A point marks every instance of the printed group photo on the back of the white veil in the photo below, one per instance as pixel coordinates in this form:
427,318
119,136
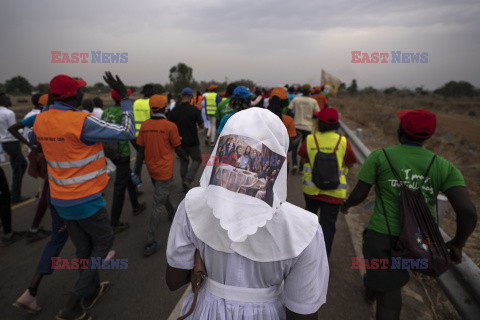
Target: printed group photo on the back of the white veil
246,166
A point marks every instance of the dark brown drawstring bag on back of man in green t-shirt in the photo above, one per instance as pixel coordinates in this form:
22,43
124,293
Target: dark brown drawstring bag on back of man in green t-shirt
420,238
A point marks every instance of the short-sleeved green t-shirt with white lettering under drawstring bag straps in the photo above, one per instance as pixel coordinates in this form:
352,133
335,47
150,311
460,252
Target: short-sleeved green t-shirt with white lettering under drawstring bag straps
411,163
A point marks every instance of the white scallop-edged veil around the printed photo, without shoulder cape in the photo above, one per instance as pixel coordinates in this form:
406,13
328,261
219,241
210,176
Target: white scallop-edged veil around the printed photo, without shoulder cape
240,214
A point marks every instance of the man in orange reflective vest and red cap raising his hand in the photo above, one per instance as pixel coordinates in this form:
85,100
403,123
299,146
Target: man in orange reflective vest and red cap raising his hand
72,144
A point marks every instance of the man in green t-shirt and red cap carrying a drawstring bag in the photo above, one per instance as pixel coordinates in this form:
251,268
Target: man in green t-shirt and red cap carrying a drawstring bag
410,160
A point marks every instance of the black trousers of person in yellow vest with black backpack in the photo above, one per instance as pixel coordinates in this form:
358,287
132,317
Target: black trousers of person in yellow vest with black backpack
327,217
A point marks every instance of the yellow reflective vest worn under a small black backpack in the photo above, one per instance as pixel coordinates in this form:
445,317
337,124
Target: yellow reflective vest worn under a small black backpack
326,142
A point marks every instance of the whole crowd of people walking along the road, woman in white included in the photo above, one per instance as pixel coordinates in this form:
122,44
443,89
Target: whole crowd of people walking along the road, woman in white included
265,257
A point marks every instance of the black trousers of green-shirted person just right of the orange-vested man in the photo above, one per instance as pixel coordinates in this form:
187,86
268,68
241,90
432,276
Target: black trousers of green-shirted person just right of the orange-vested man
123,181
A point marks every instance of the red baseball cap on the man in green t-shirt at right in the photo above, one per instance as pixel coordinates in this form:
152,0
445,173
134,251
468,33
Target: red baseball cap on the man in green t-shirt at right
418,123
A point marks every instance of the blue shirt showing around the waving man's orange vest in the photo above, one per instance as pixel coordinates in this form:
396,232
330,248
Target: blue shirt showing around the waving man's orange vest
93,130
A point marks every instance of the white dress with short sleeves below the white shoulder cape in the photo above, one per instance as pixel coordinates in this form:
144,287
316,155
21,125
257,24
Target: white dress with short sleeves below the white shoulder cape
304,278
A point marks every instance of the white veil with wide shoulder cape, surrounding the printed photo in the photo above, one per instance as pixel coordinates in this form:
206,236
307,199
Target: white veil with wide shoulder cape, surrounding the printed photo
232,222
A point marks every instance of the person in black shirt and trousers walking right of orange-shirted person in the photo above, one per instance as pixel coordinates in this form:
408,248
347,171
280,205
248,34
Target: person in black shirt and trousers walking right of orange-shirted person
187,117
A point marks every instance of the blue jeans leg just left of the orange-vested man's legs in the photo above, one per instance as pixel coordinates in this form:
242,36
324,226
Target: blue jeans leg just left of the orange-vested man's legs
56,243
